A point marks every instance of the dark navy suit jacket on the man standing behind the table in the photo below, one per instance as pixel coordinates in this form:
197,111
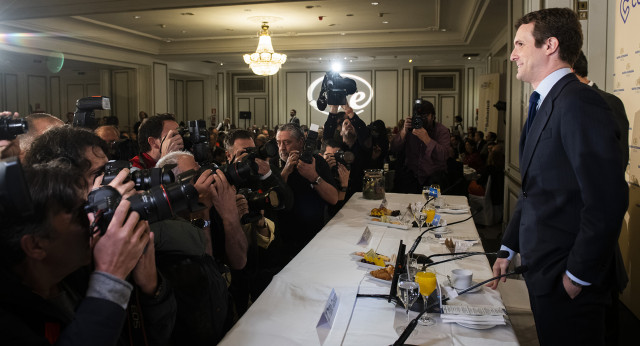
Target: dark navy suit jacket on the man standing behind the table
574,196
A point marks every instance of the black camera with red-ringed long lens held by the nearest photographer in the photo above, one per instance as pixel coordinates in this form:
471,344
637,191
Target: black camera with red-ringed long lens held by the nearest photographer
156,204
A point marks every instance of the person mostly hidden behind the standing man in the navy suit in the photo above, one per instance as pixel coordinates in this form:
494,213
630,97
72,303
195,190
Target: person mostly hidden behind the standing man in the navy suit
581,69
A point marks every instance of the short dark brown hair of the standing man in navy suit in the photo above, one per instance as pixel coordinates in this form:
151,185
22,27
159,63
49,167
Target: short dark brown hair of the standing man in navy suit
561,23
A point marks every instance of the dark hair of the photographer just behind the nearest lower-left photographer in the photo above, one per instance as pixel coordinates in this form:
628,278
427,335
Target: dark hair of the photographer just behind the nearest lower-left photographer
65,142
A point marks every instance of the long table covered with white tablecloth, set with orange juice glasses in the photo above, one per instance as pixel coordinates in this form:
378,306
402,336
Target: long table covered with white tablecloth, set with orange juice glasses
288,311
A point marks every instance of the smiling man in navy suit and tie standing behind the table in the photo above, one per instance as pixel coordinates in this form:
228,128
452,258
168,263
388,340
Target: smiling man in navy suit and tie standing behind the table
569,213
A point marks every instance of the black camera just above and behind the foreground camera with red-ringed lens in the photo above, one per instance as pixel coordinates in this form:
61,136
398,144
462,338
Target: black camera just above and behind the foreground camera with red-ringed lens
143,179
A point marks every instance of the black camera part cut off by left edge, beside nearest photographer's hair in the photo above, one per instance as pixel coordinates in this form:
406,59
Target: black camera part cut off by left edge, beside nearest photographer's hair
14,192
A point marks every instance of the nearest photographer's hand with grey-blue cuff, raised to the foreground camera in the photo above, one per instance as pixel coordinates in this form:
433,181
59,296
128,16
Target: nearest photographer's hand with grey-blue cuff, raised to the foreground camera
118,251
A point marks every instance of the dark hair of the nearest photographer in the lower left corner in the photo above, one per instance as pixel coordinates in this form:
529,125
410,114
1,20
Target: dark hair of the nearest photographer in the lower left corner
54,188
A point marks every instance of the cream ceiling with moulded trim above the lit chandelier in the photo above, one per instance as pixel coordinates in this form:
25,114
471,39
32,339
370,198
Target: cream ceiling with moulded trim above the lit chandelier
307,31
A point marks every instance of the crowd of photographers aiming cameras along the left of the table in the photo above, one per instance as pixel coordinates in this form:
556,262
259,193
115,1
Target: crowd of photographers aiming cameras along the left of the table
166,235
